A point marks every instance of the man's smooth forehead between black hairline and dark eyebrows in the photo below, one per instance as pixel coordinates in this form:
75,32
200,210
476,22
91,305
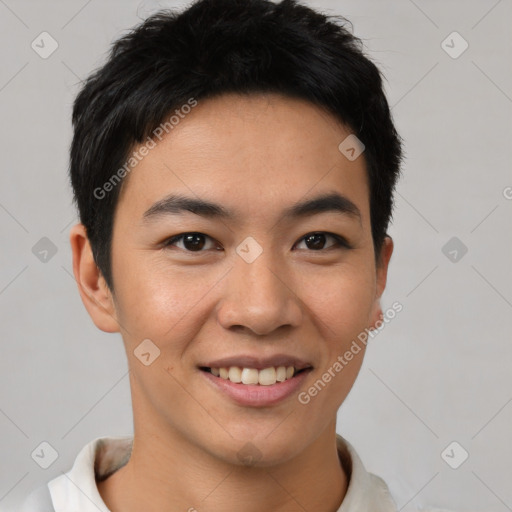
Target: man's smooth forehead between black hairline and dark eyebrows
255,153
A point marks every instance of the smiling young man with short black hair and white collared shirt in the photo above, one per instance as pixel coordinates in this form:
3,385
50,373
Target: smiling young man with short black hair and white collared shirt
234,167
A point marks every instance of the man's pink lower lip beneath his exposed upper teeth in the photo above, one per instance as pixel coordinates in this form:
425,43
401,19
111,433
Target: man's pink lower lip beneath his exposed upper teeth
250,395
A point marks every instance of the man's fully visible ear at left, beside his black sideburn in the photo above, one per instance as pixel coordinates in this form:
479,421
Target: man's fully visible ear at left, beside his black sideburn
95,294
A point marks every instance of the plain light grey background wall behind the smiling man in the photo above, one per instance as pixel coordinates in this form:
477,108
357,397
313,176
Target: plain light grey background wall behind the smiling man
438,373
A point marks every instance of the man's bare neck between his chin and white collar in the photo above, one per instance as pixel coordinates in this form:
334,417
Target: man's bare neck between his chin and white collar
167,473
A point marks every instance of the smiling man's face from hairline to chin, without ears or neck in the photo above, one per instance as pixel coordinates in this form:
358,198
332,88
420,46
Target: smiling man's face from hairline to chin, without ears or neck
251,283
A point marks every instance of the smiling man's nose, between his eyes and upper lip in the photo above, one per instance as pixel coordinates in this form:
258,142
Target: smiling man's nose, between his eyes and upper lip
259,297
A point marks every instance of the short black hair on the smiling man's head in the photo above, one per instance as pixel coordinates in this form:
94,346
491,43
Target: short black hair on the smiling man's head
216,47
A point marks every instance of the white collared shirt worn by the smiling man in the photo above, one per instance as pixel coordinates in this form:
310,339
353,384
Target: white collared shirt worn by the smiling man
76,490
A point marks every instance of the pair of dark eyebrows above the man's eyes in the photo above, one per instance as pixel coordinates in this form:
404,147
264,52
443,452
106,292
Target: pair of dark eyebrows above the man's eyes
176,204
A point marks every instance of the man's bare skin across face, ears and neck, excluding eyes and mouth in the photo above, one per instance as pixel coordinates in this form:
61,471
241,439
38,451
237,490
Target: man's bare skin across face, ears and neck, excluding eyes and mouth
255,155
